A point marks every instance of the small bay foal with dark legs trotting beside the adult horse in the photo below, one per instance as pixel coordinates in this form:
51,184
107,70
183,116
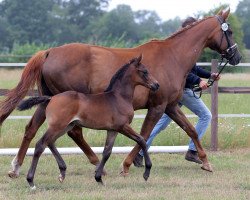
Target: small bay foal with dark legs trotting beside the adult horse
69,109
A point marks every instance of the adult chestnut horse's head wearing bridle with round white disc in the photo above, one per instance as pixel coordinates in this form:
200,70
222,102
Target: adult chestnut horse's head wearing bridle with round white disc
221,39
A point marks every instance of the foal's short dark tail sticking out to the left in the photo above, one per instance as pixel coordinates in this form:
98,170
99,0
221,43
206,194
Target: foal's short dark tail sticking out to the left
29,103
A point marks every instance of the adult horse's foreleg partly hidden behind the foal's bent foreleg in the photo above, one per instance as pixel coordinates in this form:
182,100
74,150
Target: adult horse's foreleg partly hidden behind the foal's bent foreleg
152,117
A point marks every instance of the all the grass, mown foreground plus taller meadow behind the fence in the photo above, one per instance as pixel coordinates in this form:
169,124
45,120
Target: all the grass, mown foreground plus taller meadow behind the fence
171,177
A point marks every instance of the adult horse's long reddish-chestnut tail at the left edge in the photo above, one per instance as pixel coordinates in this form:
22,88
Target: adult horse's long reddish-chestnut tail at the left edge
31,75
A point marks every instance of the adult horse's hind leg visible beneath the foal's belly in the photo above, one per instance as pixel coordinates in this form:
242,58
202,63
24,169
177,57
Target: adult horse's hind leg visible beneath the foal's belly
76,135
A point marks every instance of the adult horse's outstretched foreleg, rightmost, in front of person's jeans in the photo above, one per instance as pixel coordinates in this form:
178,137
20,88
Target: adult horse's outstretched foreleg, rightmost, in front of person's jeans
178,116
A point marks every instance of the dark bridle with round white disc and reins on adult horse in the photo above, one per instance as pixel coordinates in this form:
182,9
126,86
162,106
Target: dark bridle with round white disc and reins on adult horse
230,52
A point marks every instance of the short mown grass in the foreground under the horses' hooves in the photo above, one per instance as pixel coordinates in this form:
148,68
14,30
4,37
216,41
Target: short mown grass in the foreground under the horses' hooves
171,178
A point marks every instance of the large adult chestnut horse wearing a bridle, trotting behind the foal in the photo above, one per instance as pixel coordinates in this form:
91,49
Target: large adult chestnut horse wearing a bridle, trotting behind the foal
86,68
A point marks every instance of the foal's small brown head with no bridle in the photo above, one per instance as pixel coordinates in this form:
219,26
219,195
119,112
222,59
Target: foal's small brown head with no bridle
142,76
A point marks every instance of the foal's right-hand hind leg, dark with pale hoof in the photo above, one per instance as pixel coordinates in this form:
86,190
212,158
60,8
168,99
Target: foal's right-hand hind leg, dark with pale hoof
61,164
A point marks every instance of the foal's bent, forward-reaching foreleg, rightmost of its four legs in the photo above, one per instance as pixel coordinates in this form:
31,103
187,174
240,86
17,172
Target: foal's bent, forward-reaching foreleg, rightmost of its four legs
129,132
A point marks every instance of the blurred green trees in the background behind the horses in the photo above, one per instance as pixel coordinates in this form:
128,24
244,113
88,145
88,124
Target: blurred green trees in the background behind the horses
41,24
